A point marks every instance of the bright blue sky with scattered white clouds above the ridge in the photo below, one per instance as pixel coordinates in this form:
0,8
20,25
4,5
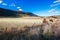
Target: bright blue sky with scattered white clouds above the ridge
38,7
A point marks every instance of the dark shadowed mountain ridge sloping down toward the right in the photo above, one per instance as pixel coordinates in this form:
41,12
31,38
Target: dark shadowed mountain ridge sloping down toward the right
12,13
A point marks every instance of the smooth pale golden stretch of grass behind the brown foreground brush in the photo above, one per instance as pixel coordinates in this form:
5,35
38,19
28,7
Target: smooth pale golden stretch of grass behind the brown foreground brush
20,22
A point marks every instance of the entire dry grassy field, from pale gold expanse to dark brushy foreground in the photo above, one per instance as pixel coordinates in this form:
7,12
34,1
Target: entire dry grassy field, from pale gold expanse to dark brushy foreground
29,28
